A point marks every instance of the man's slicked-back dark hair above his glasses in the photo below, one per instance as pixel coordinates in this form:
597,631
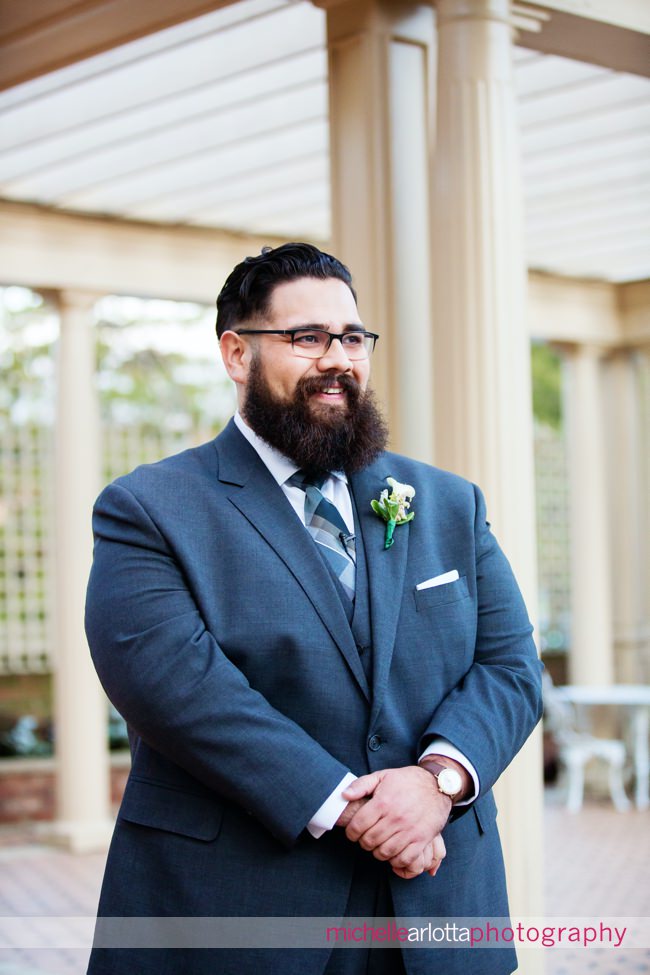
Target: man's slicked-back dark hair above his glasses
249,286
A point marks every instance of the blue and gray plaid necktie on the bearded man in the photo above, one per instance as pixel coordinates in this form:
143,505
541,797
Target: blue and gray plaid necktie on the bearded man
326,526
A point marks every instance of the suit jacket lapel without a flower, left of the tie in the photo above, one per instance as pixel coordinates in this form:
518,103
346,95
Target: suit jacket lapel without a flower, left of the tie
262,502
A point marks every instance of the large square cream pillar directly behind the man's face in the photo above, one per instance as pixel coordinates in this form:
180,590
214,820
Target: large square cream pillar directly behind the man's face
380,78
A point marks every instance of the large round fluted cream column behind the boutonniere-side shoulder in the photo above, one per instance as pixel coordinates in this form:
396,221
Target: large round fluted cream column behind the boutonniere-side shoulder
481,347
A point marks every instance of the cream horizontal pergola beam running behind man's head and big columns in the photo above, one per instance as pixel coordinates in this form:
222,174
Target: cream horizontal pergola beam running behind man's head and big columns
49,249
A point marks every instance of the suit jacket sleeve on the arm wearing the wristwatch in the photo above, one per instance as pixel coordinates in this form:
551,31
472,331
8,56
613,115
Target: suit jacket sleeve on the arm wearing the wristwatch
492,711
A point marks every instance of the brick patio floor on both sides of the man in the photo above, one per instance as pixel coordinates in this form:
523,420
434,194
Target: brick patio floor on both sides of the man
596,866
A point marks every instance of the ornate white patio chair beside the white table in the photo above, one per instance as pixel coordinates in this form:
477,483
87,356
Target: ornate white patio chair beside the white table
577,747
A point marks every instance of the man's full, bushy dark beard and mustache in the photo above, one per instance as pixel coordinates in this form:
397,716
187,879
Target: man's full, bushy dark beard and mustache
337,440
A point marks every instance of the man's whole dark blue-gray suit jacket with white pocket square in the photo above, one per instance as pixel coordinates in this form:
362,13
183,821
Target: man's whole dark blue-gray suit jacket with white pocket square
218,633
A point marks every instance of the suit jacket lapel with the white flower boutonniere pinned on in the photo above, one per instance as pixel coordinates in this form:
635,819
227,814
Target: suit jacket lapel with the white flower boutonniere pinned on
386,569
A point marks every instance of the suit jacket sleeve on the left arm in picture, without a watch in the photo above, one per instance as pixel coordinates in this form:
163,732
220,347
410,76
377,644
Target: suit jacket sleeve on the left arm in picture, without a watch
166,674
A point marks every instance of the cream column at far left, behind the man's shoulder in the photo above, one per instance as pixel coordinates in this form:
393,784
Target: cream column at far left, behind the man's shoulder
83,804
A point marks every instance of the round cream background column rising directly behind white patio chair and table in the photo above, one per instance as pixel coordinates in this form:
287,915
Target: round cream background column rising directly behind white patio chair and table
591,655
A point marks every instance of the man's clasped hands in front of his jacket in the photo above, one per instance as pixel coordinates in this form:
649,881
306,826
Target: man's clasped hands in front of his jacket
398,815
